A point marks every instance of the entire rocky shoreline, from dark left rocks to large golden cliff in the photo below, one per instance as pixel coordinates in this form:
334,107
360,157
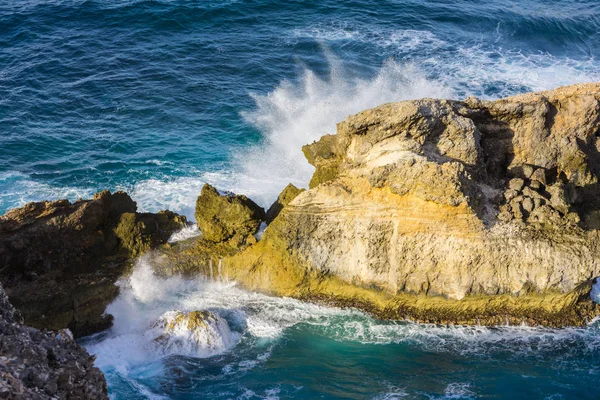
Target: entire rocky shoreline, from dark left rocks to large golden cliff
449,212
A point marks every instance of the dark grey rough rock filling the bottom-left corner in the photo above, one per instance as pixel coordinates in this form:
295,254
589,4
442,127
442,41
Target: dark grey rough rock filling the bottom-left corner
43,365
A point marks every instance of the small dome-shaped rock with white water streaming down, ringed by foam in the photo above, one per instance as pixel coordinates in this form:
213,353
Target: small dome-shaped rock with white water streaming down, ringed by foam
199,333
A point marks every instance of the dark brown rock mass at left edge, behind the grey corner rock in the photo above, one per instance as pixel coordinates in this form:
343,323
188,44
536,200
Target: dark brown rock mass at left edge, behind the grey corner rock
60,260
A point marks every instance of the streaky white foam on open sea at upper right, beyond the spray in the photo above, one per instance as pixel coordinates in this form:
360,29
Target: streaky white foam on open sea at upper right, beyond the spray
468,69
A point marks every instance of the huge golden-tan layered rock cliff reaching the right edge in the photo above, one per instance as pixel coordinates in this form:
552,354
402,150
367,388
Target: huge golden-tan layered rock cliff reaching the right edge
446,211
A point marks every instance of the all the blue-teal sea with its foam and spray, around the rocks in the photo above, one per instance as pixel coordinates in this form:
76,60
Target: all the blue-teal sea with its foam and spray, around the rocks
159,97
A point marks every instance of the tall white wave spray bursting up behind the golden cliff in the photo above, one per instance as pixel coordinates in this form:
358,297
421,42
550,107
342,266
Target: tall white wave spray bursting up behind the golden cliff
298,113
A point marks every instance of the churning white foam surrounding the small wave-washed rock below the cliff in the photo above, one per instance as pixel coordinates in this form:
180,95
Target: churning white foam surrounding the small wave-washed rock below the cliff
144,298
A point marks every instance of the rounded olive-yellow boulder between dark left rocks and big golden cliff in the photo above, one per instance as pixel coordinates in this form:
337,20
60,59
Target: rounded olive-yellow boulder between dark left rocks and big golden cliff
224,217
